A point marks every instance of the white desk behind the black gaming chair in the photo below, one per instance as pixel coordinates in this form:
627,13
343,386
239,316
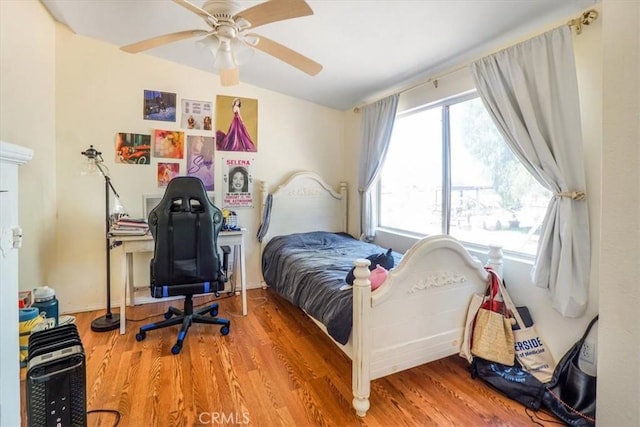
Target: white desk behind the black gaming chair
133,244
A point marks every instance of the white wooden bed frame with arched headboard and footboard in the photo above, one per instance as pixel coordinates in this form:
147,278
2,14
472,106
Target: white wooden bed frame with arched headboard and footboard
416,316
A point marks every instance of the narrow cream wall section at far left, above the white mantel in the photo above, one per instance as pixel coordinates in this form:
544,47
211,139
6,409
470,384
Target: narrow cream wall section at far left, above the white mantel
27,118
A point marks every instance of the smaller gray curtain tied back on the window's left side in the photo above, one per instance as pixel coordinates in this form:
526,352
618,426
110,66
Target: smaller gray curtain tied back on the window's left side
376,128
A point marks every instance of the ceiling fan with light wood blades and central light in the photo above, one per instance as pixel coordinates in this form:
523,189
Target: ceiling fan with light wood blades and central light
229,39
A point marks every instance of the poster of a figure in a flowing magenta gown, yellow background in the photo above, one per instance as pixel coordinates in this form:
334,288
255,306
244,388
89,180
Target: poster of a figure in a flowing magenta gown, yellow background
236,124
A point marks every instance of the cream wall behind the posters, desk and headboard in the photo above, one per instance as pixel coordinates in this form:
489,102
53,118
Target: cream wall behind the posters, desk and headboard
99,93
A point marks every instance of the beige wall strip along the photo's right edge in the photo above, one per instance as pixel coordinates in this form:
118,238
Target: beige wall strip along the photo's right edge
619,325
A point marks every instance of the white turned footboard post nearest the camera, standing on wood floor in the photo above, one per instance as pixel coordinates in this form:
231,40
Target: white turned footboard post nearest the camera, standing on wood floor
361,337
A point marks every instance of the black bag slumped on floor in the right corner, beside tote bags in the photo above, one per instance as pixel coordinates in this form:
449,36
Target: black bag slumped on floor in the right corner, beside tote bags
571,393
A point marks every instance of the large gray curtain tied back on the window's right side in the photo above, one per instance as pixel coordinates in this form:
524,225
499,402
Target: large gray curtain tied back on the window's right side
531,91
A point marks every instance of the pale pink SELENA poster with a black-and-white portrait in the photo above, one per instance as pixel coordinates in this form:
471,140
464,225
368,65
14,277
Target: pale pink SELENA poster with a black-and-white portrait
238,185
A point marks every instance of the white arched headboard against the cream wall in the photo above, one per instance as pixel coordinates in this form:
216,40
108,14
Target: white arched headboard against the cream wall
304,202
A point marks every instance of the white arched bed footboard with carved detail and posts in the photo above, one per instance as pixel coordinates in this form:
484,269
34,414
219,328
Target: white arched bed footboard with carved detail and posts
416,316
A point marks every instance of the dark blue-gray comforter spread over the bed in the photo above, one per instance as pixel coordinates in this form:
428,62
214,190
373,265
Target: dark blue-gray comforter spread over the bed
309,270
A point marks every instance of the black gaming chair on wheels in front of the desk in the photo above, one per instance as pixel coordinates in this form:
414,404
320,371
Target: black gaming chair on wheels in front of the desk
185,227
